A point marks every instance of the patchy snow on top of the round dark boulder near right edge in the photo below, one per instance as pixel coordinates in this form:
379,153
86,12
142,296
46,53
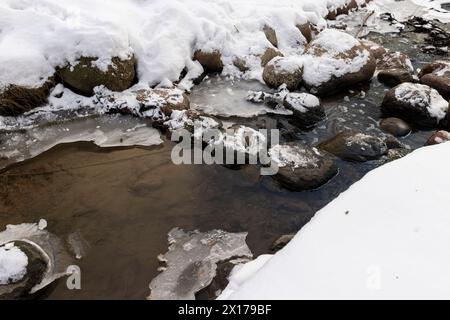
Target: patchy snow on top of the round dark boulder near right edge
423,96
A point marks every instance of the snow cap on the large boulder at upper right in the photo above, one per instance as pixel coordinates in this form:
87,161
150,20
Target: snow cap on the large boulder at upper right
318,69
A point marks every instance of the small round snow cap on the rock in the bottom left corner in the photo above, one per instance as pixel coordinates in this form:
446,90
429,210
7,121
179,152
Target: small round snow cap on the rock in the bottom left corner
13,264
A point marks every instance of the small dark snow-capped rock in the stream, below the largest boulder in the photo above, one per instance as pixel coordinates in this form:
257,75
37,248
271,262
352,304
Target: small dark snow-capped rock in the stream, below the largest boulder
307,109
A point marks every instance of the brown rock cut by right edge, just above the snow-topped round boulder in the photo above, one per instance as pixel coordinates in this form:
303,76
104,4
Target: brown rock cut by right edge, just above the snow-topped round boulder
437,76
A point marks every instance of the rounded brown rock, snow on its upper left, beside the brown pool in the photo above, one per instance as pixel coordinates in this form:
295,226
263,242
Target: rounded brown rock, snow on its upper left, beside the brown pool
301,167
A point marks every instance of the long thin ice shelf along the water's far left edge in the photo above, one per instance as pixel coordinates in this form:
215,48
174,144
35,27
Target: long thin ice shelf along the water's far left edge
104,131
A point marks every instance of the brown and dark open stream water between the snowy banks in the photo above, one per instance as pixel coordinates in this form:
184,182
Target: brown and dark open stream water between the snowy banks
123,201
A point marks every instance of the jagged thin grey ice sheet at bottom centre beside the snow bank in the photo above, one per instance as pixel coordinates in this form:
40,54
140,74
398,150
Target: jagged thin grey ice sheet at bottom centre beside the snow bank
192,262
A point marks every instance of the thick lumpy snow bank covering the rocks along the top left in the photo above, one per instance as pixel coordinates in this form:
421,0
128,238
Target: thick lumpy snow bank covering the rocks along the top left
38,35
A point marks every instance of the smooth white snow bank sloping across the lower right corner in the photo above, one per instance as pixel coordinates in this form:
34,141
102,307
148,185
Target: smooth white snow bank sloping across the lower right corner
385,238
